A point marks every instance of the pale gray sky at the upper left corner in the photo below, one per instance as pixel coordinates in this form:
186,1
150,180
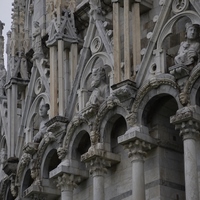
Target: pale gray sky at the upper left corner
5,17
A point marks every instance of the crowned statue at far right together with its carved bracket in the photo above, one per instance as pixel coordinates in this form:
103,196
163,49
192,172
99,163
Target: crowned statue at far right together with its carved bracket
188,55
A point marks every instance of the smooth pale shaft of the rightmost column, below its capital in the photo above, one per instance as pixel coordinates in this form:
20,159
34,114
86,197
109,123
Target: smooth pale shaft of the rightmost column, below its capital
191,173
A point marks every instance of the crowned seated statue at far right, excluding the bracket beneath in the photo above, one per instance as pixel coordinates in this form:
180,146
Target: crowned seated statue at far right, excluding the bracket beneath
189,51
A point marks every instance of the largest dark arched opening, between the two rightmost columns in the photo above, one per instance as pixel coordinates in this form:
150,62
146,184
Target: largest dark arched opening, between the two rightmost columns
166,162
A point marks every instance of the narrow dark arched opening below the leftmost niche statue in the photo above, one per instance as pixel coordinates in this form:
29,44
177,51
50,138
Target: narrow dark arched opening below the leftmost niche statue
51,162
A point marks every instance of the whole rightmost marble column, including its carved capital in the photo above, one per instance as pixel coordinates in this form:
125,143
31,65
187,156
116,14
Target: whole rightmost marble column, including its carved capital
188,120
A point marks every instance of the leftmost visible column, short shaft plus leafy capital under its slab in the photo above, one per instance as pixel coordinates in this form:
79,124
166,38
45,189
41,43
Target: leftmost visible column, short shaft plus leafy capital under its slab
67,183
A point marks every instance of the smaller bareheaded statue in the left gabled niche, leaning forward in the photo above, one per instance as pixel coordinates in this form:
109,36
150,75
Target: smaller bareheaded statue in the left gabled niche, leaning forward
43,112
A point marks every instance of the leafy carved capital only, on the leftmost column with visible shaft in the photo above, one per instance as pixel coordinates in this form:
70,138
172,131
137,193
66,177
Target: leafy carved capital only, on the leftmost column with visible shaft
67,181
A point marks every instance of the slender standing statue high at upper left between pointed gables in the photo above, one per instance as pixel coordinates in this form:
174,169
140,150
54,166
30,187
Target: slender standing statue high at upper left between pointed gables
37,41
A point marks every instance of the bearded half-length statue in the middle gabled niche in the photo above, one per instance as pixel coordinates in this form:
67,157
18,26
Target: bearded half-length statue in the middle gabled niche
101,88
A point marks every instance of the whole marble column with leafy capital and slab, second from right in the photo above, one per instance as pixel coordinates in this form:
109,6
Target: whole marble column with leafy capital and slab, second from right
137,143
